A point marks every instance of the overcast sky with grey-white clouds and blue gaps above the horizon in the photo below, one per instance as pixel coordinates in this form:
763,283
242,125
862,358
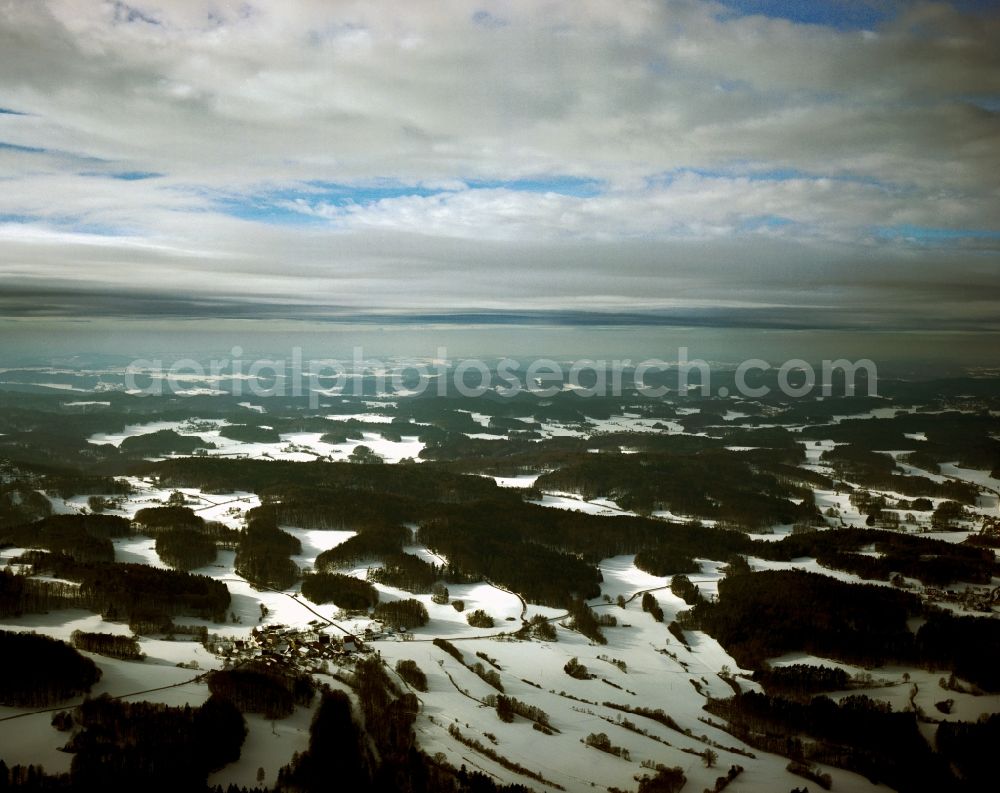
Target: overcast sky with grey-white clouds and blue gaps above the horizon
763,164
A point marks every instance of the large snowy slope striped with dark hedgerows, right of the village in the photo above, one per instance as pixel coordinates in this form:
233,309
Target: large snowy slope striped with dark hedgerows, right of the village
656,679
